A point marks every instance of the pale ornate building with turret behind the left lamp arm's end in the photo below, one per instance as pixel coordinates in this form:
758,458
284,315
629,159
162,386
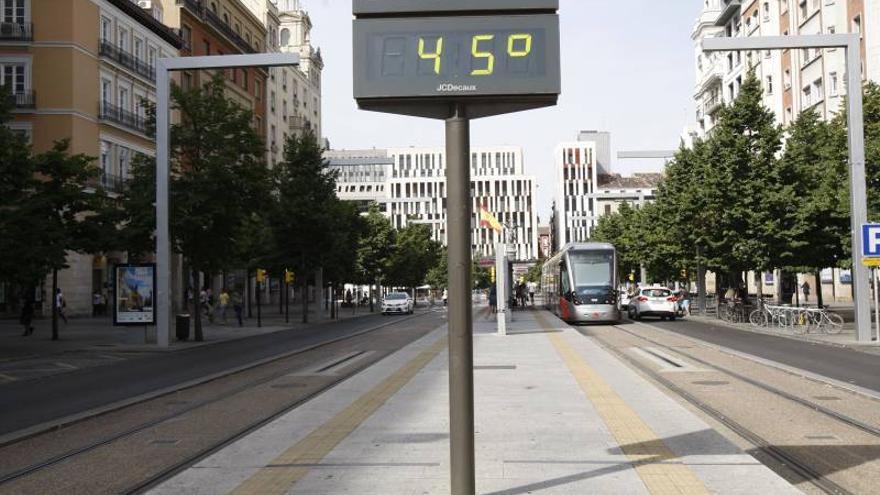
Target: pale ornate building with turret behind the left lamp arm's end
293,94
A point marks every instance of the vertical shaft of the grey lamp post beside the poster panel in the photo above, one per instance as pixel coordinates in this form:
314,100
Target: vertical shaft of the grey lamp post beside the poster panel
163,237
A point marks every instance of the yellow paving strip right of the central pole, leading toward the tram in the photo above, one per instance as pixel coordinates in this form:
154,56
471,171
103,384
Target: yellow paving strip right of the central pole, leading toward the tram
654,462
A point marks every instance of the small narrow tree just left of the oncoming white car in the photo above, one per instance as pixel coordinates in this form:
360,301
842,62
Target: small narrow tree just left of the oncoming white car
375,248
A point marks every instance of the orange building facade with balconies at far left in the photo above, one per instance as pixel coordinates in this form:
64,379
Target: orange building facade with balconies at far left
84,70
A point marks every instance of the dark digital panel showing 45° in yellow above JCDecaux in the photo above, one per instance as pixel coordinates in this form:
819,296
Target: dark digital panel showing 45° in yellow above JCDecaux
460,56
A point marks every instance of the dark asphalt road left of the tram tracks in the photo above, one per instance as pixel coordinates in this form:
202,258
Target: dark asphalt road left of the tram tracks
30,403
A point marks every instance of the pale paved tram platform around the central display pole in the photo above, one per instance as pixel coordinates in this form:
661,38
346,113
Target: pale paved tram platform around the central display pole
555,414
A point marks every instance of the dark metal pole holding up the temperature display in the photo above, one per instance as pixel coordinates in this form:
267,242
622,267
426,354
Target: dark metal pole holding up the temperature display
461,358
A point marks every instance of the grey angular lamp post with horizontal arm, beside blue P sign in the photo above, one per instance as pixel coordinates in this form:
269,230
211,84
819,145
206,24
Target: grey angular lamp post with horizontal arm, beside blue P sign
851,43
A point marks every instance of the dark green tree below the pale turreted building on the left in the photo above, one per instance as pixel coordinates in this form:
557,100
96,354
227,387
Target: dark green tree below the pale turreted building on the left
305,211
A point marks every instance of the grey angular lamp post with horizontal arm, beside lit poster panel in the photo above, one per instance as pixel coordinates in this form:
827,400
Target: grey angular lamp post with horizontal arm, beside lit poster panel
164,66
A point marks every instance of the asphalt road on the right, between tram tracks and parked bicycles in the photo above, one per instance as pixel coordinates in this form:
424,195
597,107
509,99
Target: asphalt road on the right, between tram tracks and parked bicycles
838,363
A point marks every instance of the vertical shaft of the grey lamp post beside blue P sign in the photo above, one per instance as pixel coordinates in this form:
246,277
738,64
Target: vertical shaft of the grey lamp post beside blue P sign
858,193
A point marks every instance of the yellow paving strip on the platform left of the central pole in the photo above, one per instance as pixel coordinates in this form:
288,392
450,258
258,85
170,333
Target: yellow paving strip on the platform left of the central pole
290,467
